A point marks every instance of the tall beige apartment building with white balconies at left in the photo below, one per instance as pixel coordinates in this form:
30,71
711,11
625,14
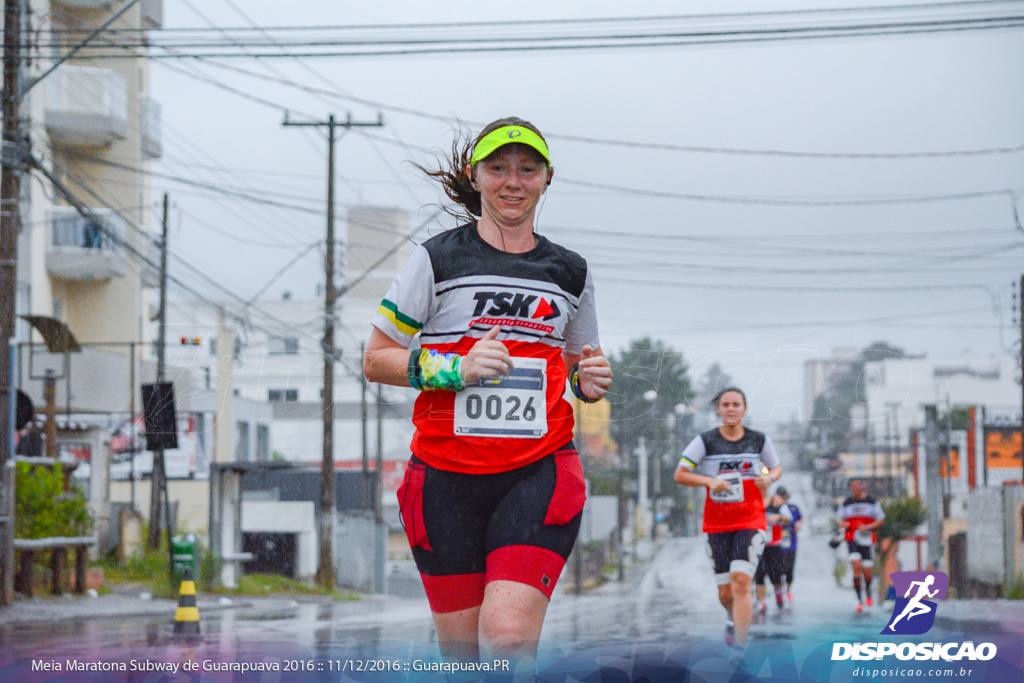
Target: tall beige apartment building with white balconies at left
93,124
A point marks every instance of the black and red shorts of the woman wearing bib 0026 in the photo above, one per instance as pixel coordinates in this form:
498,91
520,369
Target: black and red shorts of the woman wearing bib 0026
470,530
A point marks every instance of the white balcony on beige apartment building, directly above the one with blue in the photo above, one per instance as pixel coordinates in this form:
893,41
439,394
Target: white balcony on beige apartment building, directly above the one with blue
87,106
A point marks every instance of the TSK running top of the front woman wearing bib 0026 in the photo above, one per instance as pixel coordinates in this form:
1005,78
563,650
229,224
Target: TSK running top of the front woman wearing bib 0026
453,290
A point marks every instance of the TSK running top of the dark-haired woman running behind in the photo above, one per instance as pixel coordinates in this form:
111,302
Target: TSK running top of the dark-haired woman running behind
740,463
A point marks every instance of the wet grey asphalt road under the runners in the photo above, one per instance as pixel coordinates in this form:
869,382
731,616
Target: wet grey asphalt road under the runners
673,600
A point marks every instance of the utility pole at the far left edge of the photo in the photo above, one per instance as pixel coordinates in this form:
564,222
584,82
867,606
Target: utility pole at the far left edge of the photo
12,162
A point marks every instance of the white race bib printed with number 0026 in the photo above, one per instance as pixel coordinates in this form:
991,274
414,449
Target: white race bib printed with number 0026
506,407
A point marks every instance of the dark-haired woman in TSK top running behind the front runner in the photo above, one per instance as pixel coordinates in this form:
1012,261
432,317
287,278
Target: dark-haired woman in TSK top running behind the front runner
737,465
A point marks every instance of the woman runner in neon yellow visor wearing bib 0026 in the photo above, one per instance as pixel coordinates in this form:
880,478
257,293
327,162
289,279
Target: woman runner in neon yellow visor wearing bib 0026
493,496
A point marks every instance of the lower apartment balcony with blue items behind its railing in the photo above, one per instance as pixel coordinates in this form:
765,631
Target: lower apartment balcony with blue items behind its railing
83,249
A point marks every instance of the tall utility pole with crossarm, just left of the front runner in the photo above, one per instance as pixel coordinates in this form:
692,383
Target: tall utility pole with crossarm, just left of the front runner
328,515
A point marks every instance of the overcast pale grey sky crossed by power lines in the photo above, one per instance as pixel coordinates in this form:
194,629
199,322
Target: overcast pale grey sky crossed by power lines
730,258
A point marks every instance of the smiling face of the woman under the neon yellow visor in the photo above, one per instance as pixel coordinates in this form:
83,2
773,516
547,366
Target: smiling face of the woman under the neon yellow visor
511,182
